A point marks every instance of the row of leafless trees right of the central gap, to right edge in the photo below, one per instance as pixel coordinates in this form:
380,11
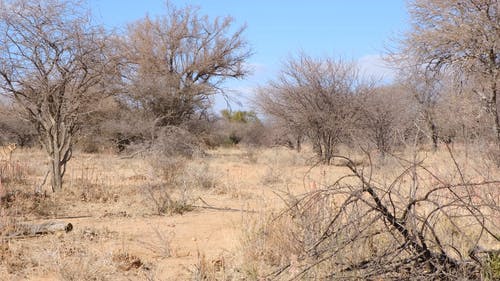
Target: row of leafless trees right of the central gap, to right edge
446,87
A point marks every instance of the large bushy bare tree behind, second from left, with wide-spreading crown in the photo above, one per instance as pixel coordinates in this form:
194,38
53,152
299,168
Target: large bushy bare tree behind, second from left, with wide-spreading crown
180,60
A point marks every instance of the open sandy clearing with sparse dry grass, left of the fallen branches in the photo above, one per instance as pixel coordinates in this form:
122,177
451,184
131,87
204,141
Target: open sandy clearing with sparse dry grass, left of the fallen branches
116,224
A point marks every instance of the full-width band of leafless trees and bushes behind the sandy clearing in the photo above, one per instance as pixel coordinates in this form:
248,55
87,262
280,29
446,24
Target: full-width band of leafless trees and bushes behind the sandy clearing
65,80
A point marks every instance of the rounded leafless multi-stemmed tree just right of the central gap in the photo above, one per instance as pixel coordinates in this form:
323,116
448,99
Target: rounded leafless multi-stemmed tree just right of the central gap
317,97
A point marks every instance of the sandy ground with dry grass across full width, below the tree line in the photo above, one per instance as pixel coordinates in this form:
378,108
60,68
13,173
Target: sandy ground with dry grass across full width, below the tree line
246,214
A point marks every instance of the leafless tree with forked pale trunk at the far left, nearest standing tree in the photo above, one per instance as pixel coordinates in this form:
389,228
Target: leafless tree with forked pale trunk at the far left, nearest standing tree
56,66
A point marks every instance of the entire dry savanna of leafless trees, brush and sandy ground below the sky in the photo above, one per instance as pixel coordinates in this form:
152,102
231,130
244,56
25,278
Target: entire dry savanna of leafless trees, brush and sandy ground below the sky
113,165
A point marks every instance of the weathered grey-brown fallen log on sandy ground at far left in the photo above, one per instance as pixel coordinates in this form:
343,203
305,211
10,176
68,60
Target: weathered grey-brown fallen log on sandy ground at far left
29,230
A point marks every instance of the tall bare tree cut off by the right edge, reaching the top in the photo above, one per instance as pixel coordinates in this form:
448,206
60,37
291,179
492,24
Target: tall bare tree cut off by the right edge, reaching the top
459,36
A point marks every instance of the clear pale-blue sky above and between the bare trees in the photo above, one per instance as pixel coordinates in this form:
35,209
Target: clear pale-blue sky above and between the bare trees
276,29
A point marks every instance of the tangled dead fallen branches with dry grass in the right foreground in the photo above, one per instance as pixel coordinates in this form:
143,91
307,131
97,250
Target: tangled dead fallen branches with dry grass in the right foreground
359,227
